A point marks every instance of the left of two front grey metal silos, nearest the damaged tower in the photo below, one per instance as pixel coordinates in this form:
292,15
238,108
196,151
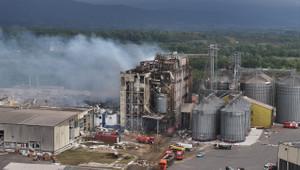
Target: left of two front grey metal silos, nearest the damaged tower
205,118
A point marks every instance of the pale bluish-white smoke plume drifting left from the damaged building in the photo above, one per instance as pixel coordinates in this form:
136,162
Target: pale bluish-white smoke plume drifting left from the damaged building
79,62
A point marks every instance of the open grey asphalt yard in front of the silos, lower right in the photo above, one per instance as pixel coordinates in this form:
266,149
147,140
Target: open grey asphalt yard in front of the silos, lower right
252,157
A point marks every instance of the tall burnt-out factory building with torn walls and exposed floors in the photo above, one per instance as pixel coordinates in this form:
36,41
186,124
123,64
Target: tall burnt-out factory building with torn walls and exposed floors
151,95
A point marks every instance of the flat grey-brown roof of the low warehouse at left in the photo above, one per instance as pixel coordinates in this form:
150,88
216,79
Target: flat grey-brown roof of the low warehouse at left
39,117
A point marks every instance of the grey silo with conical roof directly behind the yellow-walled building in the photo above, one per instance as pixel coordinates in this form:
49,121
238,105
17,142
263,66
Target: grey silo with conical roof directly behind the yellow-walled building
260,87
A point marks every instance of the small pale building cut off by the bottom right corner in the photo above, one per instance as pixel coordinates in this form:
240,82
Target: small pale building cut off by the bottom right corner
289,156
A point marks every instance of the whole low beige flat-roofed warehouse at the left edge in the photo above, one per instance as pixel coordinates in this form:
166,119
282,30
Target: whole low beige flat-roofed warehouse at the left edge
43,130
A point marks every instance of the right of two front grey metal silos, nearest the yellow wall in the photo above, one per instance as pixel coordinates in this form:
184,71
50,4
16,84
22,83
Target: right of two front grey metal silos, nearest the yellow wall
233,128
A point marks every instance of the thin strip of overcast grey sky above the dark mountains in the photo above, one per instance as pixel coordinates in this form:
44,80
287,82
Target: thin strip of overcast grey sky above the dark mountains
158,4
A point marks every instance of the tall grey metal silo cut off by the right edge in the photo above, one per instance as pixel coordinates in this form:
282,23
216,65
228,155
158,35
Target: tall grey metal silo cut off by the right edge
288,99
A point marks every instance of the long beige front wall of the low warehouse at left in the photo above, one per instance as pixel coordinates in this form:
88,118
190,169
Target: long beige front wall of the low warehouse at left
27,133
